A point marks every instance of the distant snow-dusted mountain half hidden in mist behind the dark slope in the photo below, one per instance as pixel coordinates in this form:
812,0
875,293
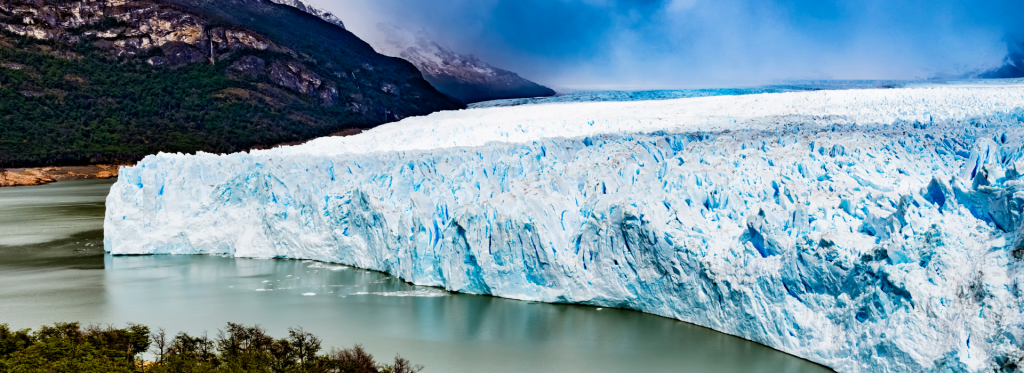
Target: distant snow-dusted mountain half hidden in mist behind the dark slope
463,77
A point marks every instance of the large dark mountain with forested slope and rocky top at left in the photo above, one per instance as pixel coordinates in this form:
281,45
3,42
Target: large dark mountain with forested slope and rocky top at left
115,80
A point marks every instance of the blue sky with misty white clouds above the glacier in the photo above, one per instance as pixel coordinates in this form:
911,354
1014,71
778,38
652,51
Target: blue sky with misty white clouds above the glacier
651,45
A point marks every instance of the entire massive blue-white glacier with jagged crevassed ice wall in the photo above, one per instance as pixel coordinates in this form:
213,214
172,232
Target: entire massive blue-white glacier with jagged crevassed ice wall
870,231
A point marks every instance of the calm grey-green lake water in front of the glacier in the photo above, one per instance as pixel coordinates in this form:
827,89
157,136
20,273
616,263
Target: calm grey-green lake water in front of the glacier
54,269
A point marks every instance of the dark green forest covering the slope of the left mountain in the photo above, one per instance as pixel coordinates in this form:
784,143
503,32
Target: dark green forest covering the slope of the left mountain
72,104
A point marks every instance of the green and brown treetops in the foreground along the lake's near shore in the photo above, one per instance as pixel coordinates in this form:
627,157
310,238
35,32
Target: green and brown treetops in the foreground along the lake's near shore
71,348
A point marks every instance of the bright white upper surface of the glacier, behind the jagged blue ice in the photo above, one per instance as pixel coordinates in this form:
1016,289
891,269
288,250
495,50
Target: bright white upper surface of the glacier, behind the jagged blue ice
477,128
